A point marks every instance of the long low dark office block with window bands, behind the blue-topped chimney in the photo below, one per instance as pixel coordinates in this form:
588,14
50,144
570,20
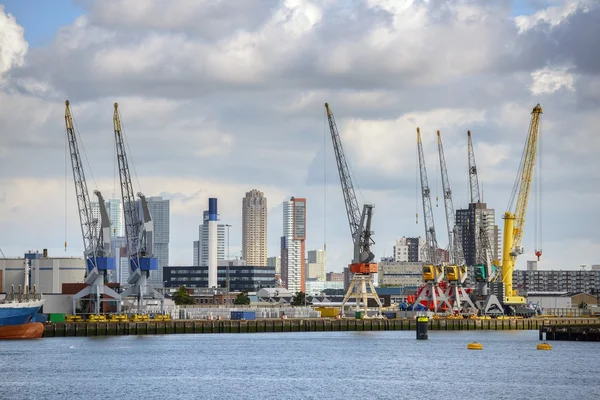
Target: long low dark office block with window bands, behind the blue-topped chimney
242,277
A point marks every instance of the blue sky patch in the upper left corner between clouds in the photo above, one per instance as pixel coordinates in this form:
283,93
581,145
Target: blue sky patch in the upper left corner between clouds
42,18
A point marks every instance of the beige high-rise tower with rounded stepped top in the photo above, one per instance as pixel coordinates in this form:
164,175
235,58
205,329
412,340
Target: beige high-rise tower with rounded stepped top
254,228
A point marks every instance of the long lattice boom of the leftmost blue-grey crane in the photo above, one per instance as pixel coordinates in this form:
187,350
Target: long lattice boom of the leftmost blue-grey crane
84,205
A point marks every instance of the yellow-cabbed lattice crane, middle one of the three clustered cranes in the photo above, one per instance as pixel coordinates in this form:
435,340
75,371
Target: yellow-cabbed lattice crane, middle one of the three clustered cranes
457,272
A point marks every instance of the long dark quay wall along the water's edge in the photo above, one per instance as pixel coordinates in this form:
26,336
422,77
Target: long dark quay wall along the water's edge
73,329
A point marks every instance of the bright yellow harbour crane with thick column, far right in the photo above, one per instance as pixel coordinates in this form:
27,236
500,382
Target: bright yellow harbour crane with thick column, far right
514,222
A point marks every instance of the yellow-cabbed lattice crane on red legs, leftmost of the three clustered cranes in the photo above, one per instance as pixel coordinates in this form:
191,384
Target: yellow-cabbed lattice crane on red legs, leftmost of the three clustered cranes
433,270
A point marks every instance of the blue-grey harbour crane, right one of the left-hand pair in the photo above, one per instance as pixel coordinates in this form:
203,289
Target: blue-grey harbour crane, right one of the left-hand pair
138,228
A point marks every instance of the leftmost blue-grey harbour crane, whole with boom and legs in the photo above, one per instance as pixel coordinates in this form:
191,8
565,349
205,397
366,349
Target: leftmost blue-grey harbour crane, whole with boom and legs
96,234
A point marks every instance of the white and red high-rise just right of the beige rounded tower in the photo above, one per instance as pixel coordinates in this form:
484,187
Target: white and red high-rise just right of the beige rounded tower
293,260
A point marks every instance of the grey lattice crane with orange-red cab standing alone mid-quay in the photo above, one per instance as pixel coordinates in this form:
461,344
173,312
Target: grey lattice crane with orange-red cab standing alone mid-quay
361,286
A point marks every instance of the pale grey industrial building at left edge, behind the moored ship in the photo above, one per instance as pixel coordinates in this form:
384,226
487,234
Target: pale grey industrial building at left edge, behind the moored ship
46,273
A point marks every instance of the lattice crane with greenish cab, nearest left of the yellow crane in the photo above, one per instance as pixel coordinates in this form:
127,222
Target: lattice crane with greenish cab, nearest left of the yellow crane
485,271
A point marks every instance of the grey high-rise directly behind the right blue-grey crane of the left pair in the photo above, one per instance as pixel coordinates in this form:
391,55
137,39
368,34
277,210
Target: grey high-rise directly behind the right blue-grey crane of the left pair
159,211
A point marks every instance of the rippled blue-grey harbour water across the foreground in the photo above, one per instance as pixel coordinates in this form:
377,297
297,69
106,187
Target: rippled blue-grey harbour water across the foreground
332,365
